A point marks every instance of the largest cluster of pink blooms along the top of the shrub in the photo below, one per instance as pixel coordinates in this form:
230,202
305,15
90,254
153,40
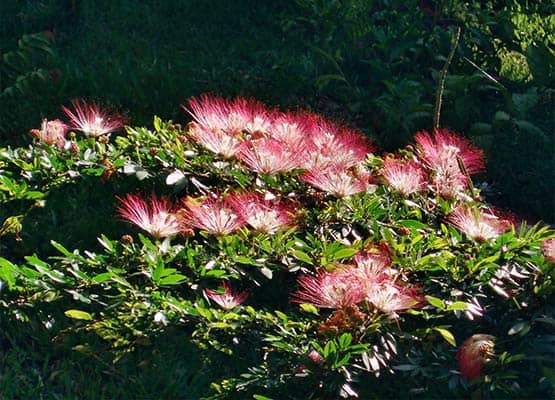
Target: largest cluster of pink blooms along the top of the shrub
271,142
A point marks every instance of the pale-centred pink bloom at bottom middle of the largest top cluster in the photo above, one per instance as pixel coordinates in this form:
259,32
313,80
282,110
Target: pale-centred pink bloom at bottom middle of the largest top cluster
269,156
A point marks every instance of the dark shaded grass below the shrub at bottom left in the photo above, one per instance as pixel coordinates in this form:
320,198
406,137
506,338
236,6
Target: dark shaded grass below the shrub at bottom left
35,368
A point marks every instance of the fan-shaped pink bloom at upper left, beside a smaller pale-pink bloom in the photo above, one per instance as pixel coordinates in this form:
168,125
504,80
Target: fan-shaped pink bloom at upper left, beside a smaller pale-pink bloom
91,119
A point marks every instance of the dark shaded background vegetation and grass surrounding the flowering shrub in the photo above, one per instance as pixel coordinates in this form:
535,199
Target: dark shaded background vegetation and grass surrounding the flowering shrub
372,64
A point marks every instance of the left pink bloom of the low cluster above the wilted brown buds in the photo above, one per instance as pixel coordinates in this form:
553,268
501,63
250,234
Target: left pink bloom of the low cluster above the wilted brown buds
329,290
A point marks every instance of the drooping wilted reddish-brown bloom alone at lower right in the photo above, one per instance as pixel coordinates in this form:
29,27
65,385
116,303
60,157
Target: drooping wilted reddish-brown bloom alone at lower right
474,353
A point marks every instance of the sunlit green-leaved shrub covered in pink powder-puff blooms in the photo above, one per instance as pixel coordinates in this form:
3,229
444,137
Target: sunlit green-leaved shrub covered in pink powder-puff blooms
284,241
